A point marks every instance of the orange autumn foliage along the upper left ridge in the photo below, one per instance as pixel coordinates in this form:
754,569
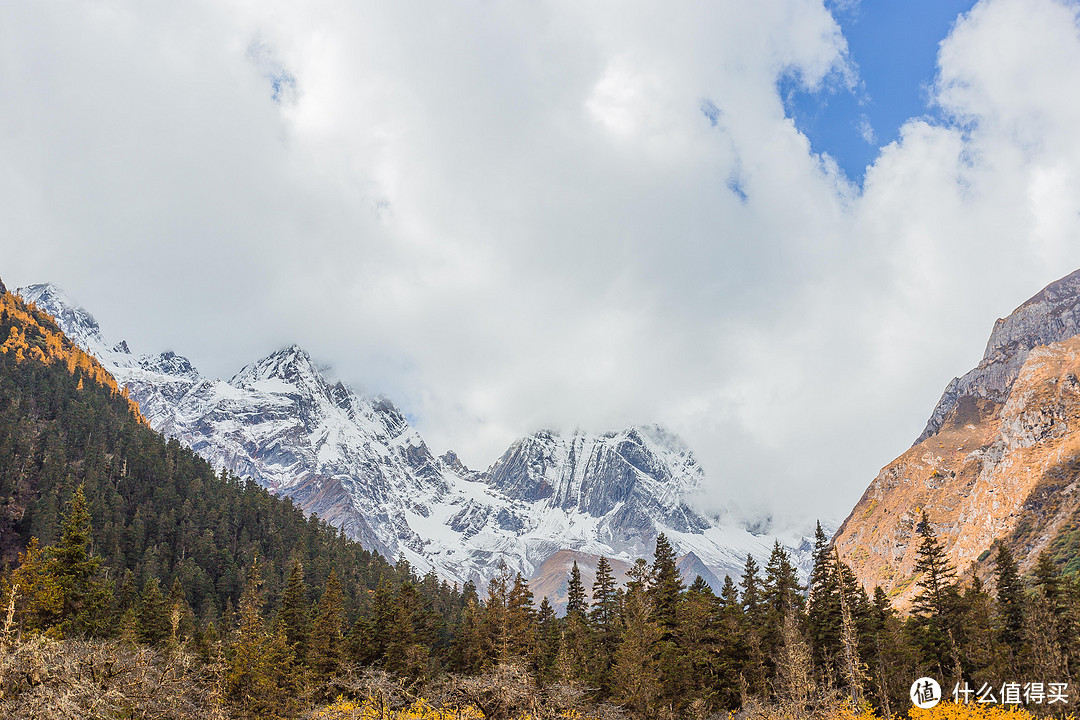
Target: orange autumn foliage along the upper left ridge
35,336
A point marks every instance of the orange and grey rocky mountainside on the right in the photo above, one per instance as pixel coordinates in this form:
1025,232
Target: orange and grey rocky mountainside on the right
1002,465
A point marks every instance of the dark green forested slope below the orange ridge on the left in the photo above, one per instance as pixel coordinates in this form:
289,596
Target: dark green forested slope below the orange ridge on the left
154,507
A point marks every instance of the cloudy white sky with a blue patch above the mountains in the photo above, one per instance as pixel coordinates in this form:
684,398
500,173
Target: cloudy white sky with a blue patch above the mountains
779,228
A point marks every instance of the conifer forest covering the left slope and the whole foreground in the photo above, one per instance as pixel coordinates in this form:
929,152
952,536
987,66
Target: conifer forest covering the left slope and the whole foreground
140,583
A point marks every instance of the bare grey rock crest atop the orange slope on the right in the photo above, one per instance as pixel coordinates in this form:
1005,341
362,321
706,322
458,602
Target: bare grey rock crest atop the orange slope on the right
1050,317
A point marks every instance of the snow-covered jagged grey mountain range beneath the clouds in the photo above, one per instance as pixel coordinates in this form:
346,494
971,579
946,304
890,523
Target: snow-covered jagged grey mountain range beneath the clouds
358,464
